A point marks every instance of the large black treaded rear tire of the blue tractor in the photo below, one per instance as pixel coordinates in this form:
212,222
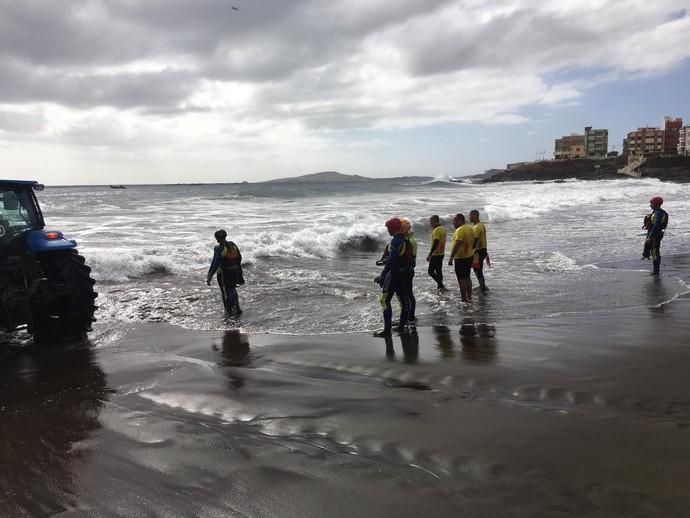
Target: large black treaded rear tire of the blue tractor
69,316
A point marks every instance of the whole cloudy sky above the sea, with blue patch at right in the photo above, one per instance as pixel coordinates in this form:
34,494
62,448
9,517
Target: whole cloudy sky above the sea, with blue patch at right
149,91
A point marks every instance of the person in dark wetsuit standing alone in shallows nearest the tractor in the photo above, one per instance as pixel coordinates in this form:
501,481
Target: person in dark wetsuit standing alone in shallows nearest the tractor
227,262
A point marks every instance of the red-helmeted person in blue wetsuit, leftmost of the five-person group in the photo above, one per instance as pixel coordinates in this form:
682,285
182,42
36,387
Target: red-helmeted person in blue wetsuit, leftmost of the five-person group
393,278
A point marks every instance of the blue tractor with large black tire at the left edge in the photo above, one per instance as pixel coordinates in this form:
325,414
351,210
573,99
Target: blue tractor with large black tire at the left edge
45,284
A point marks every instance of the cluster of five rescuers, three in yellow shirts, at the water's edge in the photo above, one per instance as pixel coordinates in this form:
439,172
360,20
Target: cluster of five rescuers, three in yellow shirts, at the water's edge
468,251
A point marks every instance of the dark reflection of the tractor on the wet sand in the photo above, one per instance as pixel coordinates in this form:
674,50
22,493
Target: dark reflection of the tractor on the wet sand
50,400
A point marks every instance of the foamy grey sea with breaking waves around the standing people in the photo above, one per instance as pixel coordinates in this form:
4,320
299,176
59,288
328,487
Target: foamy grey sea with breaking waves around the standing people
309,250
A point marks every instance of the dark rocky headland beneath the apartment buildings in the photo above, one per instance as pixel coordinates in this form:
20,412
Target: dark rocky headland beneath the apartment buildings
673,169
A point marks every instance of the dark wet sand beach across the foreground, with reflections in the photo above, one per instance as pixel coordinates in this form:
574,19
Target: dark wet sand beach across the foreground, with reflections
585,415
